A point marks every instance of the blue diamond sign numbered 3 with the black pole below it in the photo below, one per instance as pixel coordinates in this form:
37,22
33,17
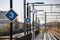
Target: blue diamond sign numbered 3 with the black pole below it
11,15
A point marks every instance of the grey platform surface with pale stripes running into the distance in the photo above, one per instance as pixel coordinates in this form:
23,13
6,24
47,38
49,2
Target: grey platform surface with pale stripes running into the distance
45,36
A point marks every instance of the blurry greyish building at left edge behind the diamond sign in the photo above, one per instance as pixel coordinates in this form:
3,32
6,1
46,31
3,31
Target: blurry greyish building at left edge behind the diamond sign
3,19
